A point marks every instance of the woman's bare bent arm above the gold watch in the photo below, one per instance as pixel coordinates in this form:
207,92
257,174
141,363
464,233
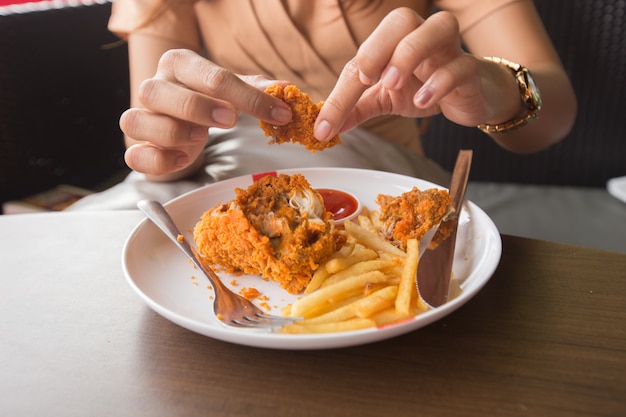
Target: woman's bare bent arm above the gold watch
519,25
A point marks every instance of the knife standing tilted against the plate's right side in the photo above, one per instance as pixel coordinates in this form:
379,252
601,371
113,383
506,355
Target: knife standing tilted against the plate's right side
434,270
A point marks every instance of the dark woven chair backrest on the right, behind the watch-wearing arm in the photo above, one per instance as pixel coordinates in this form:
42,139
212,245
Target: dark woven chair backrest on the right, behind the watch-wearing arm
590,36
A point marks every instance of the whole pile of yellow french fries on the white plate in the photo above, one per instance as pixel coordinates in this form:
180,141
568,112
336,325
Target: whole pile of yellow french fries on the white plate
369,282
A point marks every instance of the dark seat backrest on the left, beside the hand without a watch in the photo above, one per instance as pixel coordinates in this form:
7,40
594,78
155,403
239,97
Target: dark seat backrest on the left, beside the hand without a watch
63,86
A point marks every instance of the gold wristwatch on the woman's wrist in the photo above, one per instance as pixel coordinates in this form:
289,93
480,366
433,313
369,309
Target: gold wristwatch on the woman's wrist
529,93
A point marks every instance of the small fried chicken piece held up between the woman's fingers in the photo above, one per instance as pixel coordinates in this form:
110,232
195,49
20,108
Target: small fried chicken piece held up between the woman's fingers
300,128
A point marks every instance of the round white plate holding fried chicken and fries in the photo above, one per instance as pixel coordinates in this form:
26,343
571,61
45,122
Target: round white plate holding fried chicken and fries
166,281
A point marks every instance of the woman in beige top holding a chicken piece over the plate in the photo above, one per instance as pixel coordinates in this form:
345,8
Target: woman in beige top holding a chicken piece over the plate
198,70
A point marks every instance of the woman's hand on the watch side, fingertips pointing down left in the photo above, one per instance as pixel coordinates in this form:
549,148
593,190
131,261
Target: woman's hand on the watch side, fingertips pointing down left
416,68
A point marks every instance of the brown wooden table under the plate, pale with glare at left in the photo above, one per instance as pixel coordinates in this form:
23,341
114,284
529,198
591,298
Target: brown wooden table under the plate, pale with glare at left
545,337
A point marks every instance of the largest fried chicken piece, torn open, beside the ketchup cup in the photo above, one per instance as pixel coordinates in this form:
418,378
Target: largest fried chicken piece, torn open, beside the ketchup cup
277,228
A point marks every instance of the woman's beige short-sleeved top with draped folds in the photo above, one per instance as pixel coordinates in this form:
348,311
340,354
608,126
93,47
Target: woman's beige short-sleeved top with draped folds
305,42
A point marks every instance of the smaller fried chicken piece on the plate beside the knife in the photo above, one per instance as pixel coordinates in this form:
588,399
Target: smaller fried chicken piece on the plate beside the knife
412,214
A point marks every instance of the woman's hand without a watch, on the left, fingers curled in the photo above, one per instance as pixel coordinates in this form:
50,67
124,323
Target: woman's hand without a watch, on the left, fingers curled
186,97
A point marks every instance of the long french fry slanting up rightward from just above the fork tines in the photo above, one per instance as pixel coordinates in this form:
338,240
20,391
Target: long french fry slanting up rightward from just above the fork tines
336,292
